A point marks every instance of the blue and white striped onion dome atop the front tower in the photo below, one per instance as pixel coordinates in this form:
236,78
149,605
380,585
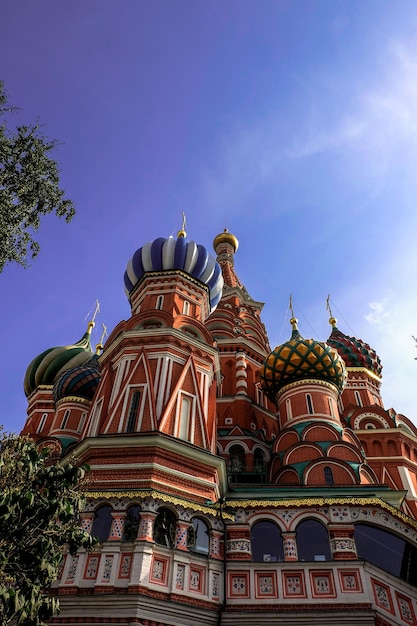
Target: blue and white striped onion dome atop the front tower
176,254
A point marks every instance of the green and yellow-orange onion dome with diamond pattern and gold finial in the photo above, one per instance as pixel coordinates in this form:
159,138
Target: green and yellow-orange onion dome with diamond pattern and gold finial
299,359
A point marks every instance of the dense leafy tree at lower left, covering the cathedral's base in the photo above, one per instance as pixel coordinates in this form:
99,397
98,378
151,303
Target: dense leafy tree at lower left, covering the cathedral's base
39,506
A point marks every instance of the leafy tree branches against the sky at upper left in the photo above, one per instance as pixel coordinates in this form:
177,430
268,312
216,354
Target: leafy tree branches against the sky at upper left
29,188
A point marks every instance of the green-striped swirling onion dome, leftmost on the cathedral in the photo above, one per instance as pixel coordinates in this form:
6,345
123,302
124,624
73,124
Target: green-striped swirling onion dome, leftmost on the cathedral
46,368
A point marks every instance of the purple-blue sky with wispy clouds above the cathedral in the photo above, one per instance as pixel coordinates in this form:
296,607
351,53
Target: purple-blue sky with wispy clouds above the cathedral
294,122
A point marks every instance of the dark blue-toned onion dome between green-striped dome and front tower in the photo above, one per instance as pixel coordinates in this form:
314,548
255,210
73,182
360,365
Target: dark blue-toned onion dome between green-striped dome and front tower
80,381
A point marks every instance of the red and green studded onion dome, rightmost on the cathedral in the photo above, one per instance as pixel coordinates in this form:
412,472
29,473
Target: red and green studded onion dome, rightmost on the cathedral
354,352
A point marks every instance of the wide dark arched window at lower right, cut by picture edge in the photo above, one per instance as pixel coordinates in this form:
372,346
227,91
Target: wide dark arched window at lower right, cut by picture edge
387,551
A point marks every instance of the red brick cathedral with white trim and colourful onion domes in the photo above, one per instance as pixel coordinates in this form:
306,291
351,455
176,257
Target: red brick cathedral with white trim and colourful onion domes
229,483
